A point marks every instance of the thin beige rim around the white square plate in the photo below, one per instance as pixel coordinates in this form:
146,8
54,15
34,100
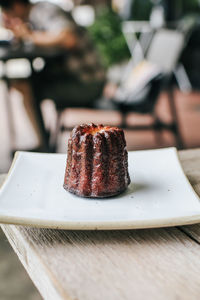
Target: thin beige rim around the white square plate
100,225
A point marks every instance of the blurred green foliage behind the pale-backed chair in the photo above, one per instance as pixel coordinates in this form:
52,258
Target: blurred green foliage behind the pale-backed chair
108,37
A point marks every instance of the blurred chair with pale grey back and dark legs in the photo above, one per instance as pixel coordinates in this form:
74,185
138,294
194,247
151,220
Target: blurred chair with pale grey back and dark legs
164,51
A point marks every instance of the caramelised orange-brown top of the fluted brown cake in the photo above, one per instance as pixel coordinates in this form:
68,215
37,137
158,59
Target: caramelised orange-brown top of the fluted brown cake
93,129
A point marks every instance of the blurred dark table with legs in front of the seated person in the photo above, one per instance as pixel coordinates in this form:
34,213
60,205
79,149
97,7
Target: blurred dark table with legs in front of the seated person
37,58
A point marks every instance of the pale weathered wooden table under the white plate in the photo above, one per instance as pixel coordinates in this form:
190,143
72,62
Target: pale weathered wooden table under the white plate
109,265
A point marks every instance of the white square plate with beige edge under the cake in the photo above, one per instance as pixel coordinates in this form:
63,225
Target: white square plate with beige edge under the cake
159,195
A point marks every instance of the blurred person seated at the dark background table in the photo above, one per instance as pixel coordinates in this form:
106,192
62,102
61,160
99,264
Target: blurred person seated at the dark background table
77,78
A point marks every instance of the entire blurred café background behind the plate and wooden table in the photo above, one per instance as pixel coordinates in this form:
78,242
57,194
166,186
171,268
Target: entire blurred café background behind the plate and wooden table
128,63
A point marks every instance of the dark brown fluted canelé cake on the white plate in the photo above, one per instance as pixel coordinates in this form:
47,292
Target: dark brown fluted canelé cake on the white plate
97,163
